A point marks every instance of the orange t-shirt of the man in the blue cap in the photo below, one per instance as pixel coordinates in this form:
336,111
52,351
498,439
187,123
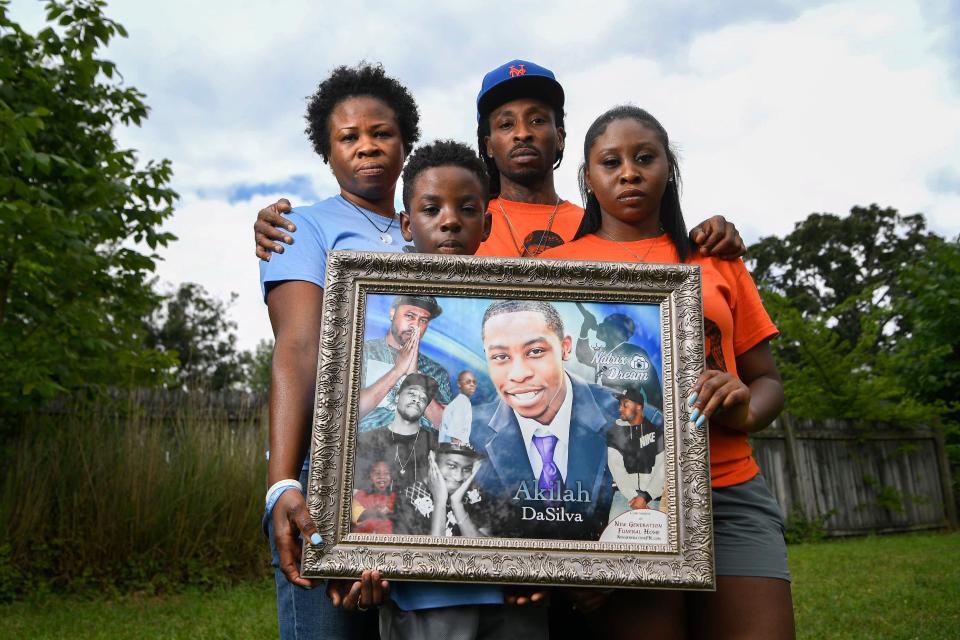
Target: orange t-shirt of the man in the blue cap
518,226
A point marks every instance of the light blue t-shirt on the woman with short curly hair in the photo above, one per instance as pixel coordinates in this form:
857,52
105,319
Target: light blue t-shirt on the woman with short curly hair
330,225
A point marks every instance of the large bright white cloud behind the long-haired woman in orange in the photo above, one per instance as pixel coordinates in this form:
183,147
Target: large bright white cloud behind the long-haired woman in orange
776,121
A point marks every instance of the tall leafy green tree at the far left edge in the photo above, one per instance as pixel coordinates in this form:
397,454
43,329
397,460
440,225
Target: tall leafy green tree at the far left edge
73,285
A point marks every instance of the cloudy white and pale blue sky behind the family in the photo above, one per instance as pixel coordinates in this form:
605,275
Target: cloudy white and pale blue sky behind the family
778,109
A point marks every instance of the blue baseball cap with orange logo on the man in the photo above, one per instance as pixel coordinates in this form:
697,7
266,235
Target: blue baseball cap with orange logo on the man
518,79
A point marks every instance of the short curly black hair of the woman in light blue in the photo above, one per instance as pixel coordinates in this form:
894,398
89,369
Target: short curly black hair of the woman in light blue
362,80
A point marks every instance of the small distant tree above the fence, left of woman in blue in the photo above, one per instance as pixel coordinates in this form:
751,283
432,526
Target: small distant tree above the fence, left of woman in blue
193,326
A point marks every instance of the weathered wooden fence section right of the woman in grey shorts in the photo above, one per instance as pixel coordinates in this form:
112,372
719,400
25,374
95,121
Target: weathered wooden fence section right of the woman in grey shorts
857,480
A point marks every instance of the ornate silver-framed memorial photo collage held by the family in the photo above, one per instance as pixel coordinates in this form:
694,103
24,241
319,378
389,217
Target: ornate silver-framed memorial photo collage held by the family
566,455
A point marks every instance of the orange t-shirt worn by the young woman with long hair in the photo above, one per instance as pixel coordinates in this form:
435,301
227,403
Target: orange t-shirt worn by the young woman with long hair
734,321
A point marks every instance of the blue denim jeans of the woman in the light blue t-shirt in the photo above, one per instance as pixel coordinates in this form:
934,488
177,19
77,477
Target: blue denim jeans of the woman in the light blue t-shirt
307,614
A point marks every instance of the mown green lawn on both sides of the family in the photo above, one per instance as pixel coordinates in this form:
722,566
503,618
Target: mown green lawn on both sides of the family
904,586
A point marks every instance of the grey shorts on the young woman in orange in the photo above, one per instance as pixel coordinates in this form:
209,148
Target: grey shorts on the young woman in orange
748,531
